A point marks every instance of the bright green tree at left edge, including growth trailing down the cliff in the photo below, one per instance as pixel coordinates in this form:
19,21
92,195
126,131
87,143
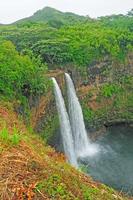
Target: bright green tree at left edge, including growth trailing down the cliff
22,78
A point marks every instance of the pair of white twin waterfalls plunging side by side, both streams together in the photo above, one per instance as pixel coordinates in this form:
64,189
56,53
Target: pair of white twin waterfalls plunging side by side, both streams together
75,140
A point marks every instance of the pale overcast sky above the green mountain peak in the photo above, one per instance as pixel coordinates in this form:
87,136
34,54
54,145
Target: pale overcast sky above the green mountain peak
12,10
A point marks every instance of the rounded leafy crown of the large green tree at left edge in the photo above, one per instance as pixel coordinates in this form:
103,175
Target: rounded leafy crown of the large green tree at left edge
19,74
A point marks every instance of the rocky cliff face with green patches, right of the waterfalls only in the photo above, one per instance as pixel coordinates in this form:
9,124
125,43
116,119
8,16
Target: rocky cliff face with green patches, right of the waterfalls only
107,98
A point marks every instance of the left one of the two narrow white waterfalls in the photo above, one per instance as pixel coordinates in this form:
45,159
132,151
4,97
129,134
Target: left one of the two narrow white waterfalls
65,126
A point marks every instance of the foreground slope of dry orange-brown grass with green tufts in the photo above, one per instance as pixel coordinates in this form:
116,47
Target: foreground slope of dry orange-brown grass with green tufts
29,169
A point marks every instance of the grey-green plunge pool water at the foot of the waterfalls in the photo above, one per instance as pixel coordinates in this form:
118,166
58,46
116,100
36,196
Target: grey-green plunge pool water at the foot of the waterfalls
113,164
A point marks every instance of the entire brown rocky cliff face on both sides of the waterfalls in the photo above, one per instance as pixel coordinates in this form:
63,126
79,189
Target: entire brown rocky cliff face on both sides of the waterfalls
105,92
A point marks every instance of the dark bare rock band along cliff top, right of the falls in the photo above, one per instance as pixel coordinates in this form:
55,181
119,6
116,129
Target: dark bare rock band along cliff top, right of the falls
102,71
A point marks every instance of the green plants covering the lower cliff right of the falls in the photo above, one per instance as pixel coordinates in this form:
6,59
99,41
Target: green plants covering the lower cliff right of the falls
113,102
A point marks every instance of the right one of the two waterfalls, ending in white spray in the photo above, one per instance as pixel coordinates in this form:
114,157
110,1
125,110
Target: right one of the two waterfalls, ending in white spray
81,141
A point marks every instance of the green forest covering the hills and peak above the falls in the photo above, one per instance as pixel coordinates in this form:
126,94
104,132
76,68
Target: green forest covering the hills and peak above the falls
79,43
